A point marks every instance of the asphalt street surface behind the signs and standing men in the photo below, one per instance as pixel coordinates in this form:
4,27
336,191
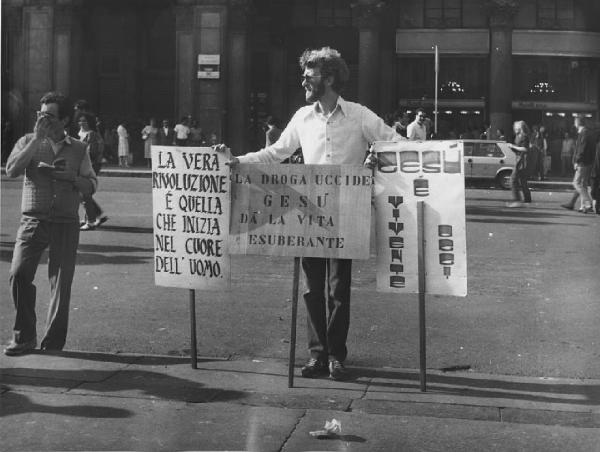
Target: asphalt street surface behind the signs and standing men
533,303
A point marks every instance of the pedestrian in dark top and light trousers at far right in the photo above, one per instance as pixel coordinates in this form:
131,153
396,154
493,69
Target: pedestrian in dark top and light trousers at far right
583,158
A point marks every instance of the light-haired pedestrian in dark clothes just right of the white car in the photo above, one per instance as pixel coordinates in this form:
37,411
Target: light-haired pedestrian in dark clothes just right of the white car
518,178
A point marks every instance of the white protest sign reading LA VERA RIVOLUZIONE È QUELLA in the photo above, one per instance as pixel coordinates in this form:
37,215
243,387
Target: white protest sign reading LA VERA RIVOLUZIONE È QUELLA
190,204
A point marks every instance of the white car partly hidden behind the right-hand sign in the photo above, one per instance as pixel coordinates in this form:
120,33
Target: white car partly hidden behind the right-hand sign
489,159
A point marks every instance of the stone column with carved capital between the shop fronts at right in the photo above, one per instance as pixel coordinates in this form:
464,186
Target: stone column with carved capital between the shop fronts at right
501,13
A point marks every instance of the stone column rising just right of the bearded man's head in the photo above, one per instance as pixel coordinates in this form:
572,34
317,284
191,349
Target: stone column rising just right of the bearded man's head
368,20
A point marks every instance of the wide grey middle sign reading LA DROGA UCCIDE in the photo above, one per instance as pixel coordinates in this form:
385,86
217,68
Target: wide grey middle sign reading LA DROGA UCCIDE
301,210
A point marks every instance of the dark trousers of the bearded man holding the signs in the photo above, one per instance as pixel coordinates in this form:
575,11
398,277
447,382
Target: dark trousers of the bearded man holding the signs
327,300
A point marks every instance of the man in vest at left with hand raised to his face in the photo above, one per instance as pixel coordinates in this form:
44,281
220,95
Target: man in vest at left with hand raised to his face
57,171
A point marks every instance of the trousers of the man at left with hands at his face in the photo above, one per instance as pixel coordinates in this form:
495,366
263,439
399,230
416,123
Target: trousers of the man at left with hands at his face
33,237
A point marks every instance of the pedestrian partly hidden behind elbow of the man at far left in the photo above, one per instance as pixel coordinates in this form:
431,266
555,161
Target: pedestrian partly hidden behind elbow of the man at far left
94,215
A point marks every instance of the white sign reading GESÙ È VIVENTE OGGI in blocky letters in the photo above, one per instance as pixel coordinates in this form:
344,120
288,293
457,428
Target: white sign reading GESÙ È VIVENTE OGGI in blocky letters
432,172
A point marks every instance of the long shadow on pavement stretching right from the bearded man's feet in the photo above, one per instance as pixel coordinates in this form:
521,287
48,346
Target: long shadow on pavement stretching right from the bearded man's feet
488,388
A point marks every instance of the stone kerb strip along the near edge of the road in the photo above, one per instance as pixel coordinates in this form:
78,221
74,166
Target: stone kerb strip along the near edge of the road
262,382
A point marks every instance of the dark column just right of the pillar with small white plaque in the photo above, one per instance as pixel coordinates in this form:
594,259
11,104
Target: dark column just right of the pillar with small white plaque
237,58
